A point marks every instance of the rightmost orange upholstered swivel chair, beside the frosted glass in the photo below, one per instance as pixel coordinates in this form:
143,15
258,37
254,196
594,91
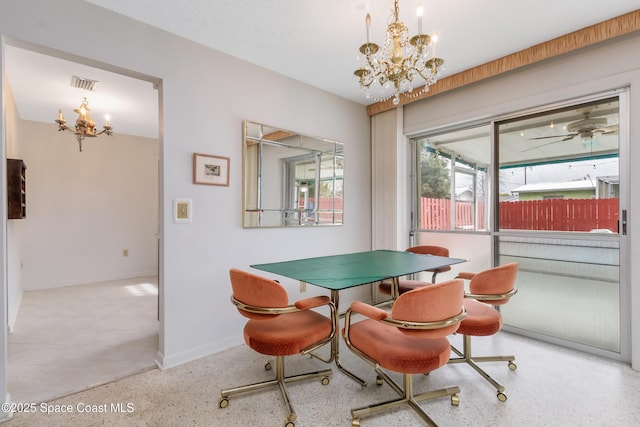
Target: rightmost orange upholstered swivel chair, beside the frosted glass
488,288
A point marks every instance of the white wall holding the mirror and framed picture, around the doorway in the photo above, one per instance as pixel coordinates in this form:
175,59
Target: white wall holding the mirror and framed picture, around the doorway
205,95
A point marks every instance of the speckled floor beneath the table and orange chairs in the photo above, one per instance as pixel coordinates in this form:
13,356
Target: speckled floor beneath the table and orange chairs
552,386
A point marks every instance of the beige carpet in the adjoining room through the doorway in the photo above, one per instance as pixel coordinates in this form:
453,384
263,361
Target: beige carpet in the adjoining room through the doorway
69,339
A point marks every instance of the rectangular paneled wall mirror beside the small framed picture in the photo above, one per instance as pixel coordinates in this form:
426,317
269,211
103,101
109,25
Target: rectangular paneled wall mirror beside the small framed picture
290,179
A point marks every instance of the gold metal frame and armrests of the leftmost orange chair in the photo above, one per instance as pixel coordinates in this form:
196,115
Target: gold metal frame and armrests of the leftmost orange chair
257,313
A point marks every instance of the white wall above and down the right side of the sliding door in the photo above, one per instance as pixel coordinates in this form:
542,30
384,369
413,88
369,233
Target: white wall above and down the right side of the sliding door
603,67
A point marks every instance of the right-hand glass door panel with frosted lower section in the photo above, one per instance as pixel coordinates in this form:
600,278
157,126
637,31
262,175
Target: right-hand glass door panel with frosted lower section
560,215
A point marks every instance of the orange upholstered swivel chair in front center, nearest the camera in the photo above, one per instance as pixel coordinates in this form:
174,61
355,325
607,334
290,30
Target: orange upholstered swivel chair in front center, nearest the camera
412,339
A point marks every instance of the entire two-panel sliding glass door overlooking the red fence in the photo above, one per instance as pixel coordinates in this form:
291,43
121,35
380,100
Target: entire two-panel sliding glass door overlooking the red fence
547,187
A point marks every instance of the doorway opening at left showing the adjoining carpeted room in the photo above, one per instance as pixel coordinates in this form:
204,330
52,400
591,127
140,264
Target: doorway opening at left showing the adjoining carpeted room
86,255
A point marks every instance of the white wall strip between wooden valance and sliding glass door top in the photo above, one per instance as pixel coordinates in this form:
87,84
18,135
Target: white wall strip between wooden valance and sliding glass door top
589,71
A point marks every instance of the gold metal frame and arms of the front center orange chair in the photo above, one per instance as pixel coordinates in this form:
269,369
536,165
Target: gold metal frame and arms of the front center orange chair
444,327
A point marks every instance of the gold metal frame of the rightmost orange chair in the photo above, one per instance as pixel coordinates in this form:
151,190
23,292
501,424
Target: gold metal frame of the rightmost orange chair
465,355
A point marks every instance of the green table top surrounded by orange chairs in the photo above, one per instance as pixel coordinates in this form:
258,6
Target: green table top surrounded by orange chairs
343,271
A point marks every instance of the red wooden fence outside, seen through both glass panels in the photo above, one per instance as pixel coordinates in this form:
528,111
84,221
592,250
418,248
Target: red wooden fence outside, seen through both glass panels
552,214
